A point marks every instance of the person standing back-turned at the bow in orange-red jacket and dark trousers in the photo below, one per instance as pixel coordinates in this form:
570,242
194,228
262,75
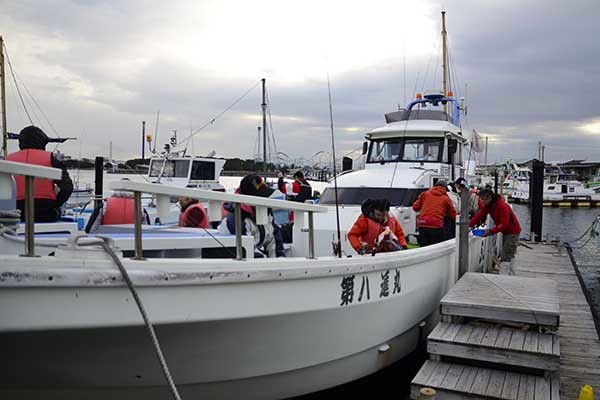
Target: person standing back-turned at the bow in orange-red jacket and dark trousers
434,205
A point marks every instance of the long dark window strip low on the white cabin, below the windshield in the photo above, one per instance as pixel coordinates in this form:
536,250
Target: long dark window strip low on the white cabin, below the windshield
356,196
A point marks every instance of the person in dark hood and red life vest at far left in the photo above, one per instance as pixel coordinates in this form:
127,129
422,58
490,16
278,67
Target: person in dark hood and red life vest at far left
49,195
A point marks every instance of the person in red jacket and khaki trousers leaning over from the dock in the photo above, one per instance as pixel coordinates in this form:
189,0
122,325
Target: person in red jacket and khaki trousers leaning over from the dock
504,218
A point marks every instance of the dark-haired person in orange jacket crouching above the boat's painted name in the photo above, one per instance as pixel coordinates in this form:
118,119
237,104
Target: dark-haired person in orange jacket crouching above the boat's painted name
366,233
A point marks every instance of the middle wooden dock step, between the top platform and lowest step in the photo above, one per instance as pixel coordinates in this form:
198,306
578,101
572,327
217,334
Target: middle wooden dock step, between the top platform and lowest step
496,344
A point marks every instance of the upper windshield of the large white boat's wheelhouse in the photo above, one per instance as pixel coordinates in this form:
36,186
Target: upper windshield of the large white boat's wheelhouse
406,149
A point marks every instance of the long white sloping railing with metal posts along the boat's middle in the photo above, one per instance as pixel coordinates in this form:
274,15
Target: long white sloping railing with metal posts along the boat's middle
215,199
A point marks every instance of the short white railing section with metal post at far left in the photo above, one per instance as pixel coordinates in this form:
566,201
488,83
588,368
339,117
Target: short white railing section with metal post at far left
29,172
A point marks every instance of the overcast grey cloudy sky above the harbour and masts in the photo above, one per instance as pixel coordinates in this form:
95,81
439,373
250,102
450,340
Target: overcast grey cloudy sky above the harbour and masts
530,71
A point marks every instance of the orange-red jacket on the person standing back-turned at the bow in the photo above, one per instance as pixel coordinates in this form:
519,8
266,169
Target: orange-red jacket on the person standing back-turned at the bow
434,205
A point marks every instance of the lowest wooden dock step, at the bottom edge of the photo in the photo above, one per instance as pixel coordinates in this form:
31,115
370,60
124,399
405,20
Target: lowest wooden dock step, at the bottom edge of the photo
456,381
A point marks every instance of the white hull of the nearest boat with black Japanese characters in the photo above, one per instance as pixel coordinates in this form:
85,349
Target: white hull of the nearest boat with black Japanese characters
234,331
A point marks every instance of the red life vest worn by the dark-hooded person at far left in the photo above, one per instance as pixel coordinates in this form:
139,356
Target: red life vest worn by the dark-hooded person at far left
44,188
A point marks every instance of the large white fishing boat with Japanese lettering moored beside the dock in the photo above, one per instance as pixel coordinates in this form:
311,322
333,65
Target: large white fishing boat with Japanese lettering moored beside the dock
79,319
